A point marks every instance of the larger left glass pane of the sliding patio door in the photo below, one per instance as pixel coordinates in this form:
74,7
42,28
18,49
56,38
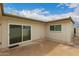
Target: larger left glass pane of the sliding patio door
15,34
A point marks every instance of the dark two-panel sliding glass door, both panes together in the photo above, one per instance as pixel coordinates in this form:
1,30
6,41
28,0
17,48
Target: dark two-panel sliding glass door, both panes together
19,33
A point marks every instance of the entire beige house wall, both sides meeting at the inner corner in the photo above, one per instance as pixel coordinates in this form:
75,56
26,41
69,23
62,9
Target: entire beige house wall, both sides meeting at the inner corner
39,30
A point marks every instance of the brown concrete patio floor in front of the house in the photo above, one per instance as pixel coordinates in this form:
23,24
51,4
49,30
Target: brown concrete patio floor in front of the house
43,48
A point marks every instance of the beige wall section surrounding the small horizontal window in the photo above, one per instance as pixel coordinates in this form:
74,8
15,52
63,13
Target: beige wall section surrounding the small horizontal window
66,33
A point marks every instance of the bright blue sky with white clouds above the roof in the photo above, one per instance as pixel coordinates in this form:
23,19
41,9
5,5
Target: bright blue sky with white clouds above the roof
44,11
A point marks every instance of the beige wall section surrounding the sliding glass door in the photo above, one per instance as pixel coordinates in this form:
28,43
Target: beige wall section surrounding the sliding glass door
37,31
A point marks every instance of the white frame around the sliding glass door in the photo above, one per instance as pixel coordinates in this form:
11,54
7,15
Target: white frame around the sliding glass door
22,32
